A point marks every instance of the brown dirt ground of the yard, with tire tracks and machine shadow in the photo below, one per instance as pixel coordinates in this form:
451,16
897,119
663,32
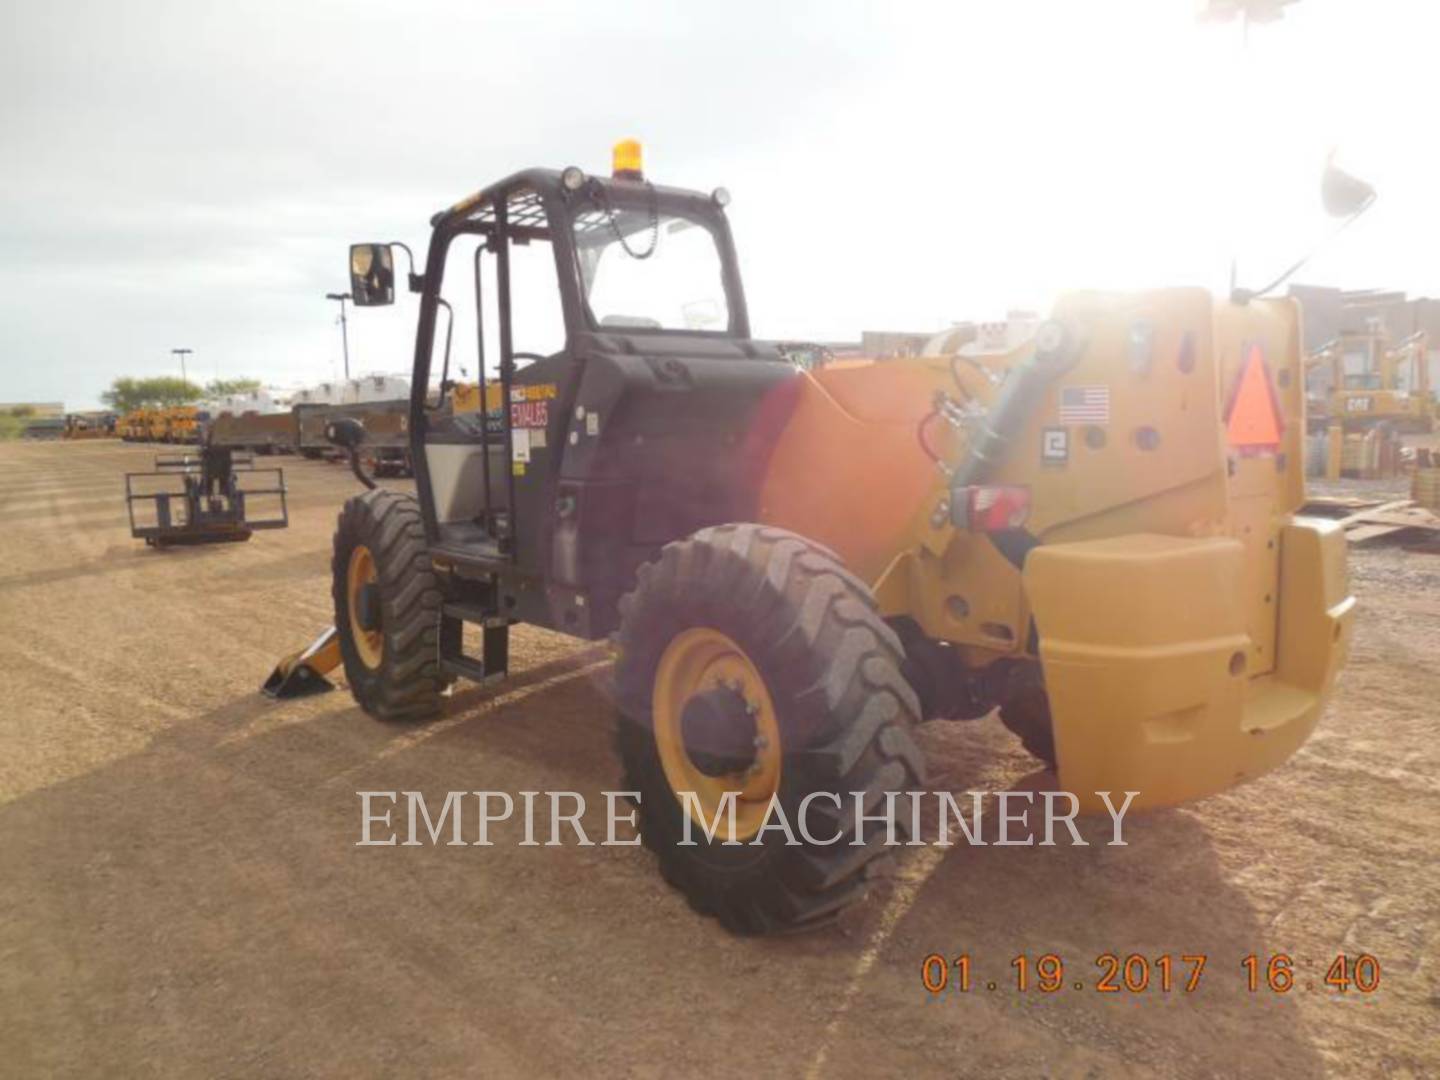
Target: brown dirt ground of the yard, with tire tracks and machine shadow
182,895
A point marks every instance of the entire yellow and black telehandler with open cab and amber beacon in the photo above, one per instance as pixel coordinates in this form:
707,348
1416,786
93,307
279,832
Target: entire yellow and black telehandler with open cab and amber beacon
1094,532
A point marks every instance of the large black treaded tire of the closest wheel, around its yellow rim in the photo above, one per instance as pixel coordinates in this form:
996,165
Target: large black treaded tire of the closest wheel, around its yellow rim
845,715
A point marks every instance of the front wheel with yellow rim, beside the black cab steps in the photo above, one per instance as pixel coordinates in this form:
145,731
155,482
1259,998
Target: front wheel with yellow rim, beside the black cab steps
394,667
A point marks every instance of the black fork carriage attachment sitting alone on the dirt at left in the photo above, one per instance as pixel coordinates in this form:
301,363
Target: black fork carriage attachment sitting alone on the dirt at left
198,499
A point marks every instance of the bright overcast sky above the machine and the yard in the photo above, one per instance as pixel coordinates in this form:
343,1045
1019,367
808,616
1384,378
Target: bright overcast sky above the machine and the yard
191,174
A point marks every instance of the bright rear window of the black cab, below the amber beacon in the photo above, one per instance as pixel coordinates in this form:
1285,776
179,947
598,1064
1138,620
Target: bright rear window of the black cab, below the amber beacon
649,269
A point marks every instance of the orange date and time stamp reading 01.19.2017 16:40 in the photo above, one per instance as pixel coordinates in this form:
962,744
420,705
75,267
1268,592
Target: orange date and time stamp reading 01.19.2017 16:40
1135,974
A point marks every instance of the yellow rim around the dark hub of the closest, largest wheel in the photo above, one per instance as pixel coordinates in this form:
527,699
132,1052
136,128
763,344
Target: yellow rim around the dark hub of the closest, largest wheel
696,662
